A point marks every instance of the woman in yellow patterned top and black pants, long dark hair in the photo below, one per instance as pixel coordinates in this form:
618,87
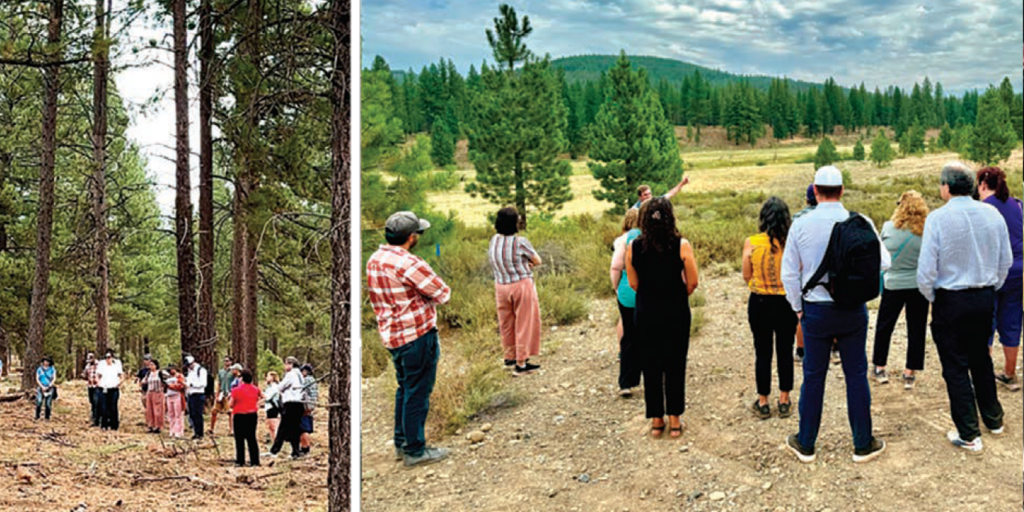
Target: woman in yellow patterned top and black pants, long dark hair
773,321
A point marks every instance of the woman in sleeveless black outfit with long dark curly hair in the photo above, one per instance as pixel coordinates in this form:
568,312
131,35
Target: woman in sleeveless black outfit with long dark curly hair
661,268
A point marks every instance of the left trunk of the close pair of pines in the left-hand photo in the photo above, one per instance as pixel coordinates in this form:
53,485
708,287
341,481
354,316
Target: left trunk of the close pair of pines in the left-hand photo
183,199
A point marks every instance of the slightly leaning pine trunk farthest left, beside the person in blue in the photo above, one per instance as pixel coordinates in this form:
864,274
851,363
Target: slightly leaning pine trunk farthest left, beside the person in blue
45,221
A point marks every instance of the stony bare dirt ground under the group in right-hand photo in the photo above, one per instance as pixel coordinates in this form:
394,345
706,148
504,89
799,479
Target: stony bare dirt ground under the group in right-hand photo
574,446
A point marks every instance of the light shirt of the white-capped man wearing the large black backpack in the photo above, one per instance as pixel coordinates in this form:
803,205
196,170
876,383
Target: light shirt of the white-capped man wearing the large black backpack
805,249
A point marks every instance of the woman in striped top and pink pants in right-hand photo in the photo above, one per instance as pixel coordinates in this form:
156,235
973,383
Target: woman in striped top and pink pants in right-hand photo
513,260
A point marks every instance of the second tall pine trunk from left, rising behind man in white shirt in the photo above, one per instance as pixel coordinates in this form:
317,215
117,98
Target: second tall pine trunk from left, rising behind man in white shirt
100,127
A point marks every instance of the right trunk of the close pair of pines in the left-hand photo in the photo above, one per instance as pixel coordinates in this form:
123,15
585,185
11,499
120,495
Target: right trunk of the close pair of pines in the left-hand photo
205,353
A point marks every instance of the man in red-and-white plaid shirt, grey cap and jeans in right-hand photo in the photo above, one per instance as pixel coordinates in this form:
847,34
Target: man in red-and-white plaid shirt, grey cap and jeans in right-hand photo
405,293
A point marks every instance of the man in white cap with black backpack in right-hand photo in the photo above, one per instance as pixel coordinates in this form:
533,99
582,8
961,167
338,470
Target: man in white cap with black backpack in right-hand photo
824,321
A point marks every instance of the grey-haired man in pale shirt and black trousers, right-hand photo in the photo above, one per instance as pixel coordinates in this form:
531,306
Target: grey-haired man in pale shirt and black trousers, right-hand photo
965,258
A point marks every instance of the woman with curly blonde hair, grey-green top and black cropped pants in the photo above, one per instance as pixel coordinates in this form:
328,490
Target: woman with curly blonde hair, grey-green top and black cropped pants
903,239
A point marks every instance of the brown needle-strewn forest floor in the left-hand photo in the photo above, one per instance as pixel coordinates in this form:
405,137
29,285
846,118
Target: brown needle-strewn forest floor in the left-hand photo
66,464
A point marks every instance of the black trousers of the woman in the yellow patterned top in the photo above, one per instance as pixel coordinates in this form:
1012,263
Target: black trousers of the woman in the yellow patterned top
775,327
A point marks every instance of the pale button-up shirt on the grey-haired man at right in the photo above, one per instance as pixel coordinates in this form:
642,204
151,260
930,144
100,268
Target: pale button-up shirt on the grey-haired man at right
966,245
